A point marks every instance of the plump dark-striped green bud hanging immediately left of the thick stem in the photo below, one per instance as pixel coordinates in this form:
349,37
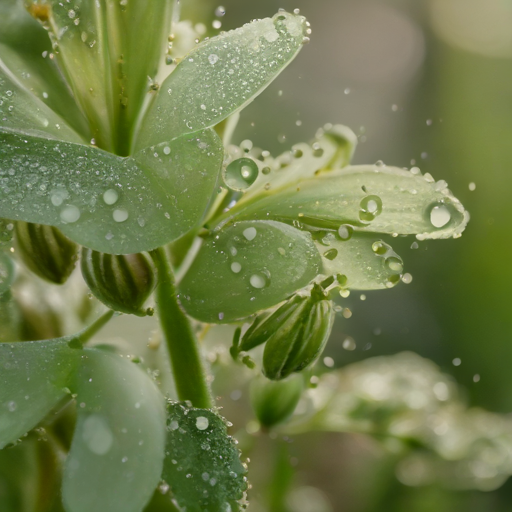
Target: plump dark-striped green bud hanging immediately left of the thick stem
121,282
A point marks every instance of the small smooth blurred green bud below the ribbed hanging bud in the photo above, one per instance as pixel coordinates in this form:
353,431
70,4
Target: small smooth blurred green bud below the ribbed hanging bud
274,402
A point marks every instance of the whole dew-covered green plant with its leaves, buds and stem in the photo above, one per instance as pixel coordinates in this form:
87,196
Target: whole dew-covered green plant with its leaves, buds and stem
110,135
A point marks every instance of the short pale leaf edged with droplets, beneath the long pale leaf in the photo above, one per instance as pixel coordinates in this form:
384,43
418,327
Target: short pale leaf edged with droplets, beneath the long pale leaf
361,263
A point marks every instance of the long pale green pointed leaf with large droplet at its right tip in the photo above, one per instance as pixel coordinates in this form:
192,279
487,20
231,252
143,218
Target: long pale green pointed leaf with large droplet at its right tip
370,198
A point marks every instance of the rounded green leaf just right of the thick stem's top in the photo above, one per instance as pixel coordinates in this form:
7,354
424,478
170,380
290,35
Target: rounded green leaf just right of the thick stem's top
247,267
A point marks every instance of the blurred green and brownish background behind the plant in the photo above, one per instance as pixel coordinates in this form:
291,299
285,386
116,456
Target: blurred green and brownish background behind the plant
426,83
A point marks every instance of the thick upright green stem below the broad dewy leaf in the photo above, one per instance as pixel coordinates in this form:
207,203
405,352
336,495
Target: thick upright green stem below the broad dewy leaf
189,372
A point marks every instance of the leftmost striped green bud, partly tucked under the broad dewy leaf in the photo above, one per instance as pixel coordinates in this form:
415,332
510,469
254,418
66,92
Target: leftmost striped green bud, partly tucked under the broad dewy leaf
46,251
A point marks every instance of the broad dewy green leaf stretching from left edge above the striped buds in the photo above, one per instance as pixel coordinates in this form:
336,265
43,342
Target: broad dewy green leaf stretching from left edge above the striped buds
105,202
